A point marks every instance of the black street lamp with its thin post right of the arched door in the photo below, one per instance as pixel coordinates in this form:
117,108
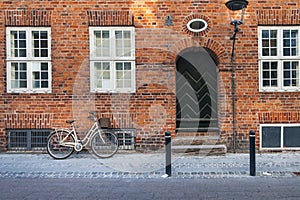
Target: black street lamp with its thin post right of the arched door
235,5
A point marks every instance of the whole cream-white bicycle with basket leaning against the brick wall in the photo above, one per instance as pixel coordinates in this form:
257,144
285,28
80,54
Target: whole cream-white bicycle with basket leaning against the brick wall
61,143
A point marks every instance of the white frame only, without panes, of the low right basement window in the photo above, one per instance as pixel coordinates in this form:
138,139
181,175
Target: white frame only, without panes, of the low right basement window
282,126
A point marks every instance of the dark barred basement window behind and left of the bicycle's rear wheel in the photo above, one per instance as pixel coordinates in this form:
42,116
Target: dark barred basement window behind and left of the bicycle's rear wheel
24,140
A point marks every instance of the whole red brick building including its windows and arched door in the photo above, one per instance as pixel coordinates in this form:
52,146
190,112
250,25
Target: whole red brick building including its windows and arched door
150,67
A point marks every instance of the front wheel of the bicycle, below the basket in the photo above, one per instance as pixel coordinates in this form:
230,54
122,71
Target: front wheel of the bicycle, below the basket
104,144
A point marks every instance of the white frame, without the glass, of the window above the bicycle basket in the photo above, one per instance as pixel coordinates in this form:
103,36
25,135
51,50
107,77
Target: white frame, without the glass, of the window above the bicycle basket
112,59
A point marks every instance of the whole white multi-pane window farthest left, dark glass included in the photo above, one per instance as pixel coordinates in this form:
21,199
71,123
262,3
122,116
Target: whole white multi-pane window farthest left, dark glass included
28,51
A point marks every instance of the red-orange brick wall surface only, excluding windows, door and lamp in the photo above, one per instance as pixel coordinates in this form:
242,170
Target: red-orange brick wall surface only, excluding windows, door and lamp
151,110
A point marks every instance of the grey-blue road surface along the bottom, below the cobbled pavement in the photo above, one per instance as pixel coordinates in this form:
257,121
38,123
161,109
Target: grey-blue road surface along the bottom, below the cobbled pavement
158,188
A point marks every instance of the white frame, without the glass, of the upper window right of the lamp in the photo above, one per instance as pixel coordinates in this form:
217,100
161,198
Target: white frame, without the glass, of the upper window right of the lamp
279,58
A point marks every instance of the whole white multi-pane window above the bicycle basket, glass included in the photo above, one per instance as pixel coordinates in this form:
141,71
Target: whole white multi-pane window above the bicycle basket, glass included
112,59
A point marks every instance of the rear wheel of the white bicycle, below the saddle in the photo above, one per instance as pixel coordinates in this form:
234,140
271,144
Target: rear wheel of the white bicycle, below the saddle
55,149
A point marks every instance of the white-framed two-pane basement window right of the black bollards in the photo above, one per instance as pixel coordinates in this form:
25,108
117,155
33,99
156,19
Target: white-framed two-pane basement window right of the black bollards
280,136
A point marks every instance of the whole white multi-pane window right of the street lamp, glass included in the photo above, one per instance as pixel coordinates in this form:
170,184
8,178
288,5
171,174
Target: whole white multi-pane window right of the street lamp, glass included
279,58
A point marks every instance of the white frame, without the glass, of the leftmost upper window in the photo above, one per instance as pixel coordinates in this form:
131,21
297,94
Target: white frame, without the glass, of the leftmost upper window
30,60
